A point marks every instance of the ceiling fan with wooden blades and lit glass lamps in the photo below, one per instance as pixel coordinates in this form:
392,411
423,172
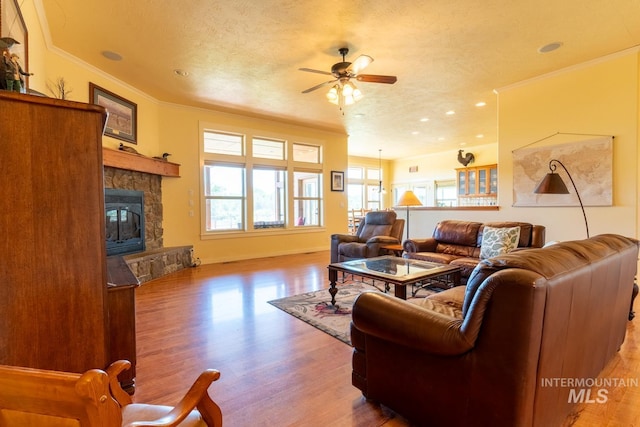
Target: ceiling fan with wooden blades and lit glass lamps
343,91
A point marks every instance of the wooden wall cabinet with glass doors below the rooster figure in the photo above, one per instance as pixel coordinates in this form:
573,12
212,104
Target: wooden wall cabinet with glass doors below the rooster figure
478,184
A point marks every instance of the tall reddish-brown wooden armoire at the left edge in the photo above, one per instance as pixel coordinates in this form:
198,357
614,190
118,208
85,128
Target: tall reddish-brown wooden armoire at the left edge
53,279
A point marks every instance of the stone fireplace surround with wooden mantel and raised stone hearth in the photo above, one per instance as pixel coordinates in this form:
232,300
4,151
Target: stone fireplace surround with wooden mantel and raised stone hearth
135,173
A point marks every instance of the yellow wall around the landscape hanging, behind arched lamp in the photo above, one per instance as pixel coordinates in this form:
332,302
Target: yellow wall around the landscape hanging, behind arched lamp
601,98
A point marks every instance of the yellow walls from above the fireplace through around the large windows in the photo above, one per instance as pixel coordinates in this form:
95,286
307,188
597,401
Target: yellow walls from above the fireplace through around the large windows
164,127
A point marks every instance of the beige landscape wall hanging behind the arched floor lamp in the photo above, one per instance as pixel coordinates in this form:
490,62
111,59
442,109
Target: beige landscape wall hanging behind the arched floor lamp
590,163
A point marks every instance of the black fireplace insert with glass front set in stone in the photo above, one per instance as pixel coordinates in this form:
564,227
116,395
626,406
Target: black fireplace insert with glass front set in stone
124,218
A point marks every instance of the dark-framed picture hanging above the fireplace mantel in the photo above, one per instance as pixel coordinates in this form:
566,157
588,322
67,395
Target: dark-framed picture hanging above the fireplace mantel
123,114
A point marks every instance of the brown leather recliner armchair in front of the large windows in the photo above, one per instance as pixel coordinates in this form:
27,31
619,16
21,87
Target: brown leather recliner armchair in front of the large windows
378,228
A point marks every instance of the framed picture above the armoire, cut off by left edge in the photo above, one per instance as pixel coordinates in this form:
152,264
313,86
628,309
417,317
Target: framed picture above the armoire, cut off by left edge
14,37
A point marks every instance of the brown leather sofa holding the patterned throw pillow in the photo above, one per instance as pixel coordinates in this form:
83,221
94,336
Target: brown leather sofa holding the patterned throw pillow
458,242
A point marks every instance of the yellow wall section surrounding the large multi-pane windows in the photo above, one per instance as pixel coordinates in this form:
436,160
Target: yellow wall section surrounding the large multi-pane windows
179,135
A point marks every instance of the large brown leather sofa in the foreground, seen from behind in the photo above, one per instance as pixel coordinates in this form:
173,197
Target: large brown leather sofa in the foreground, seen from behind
501,350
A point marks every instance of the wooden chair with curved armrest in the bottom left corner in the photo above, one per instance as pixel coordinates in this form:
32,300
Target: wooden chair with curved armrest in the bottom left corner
38,397
